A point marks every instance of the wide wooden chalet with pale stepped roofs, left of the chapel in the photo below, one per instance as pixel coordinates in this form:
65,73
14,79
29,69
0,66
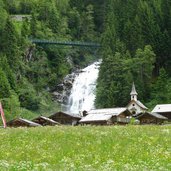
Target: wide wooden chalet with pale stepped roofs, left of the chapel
107,116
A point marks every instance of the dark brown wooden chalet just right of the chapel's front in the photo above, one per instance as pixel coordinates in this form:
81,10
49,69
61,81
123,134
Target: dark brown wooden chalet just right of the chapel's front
150,118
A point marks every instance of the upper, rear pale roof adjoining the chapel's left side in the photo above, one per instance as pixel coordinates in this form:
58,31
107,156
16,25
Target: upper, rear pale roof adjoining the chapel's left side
108,111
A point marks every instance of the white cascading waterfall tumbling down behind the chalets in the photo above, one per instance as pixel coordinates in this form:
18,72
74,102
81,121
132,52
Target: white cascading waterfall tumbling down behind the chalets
83,91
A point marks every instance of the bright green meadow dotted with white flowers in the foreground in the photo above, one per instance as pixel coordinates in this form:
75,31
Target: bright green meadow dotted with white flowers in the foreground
86,148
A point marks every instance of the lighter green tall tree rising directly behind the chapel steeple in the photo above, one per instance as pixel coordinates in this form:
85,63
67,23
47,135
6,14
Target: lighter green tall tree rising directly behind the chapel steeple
142,69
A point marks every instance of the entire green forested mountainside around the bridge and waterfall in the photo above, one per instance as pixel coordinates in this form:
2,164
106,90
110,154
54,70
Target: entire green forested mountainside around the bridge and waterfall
135,46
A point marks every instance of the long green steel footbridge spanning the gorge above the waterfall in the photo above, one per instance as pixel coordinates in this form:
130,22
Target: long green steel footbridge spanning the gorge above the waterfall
66,43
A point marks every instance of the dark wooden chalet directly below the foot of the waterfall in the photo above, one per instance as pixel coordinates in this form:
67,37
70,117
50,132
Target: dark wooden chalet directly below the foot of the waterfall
65,118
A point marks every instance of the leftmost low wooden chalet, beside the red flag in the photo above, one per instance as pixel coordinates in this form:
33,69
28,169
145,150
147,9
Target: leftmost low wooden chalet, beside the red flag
20,122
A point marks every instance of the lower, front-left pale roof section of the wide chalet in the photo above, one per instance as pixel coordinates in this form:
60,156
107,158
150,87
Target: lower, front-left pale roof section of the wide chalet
94,118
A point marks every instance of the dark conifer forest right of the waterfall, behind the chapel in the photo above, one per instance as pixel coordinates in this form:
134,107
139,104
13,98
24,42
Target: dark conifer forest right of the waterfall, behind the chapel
136,47
